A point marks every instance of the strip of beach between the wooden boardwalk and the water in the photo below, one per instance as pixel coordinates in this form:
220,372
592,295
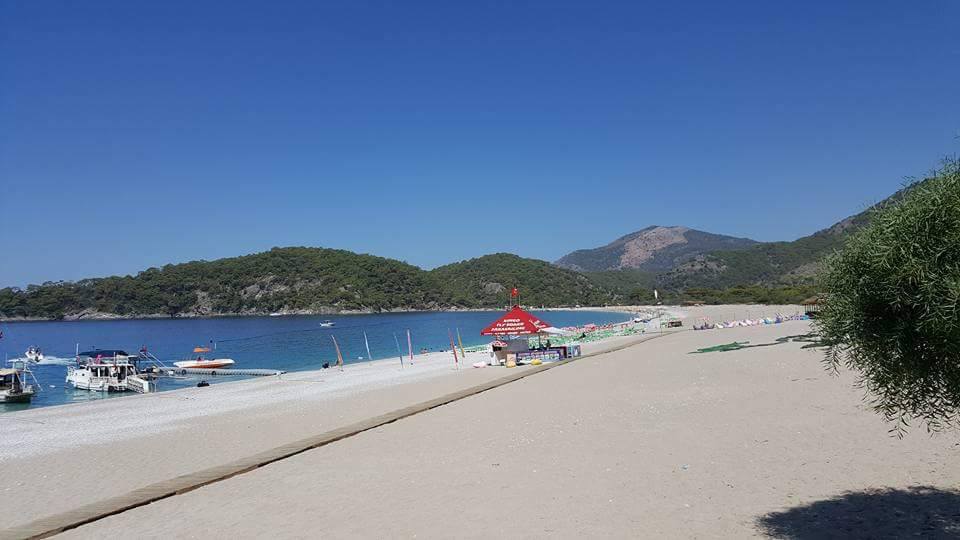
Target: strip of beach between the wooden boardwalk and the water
55,458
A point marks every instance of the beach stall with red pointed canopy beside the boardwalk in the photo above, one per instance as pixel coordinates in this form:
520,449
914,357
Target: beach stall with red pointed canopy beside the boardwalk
513,331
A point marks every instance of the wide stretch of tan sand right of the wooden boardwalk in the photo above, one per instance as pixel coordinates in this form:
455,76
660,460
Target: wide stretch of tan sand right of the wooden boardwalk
645,441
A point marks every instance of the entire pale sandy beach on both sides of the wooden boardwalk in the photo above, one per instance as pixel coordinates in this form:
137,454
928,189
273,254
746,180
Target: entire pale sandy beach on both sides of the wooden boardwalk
644,441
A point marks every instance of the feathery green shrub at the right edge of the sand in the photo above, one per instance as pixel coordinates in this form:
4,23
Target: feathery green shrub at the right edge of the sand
892,304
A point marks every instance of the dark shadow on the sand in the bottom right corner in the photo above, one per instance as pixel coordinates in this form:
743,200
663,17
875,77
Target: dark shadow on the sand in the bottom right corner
916,512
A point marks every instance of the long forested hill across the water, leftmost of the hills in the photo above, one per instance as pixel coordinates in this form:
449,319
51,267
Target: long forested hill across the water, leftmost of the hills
290,279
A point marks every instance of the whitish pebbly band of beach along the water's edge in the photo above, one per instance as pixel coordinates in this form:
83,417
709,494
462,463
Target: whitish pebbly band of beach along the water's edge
109,421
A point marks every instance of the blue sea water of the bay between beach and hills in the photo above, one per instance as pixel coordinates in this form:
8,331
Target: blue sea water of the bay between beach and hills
289,343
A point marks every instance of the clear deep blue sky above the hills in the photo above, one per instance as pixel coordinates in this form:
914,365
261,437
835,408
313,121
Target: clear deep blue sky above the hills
134,134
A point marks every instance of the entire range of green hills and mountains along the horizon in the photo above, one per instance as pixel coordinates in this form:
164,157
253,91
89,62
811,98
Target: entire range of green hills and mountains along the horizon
680,261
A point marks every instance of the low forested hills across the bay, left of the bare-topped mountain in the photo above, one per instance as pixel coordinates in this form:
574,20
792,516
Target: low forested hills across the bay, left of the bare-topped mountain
307,280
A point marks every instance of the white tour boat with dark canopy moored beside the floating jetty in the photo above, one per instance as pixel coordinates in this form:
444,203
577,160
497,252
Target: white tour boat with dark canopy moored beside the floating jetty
107,370
